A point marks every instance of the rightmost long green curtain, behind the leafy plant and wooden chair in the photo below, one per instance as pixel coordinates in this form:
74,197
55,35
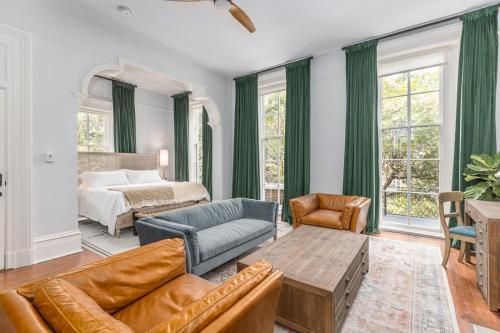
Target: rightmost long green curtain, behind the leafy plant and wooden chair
475,129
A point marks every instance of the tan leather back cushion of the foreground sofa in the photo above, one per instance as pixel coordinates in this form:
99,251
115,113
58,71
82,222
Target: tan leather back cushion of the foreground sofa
119,280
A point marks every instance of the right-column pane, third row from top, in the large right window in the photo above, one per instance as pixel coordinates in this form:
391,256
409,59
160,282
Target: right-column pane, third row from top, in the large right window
425,142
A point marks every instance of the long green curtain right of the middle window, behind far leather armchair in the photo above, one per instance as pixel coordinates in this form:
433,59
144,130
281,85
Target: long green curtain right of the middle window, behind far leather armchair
297,133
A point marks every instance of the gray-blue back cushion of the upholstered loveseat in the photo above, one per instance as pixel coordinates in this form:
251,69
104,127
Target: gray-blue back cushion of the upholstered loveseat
207,216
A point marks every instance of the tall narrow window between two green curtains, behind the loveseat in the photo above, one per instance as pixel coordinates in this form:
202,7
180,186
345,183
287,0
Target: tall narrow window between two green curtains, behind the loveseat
273,105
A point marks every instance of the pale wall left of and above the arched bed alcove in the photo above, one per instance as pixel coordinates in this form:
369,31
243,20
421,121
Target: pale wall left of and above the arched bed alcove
65,48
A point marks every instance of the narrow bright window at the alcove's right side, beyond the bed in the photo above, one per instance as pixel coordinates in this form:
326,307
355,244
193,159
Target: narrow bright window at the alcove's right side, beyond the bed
196,153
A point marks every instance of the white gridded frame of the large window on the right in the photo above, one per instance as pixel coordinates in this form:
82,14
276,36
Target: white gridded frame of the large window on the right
410,127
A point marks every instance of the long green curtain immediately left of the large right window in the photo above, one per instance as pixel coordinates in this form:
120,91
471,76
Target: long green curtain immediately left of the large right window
361,166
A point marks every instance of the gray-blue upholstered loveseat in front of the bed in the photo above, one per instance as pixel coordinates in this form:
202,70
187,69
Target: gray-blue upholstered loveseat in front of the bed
214,233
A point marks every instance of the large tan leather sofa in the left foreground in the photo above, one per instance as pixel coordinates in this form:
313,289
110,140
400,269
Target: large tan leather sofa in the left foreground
143,290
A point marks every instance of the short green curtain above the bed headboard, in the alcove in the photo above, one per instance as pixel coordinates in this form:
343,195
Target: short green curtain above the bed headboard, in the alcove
124,117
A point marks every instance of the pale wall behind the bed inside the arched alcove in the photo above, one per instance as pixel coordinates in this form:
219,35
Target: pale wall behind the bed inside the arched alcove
154,118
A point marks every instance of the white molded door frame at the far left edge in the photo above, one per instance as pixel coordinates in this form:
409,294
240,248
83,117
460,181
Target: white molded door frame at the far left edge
18,231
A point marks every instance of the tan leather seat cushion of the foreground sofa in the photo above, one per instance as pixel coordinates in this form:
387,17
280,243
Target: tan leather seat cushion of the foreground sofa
164,302
